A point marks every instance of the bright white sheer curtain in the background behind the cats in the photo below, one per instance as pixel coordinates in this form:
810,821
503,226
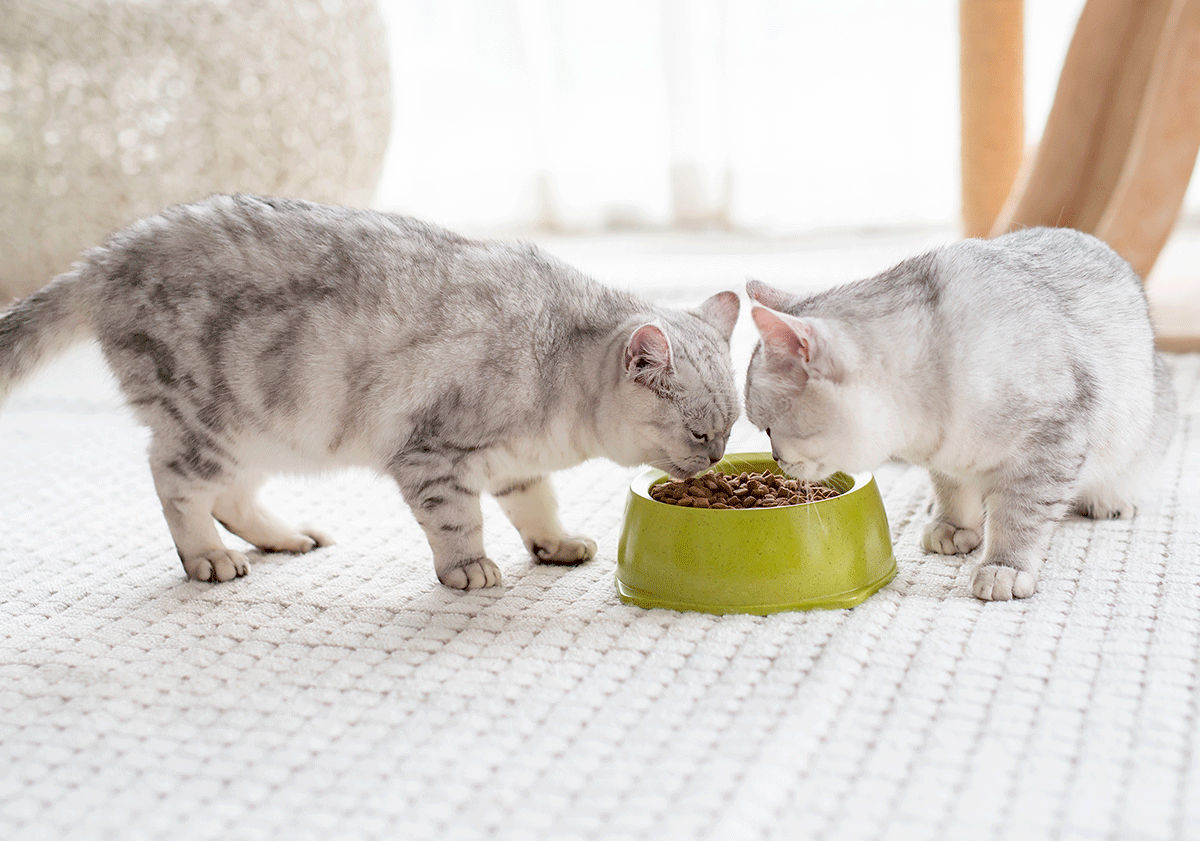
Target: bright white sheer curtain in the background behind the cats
758,115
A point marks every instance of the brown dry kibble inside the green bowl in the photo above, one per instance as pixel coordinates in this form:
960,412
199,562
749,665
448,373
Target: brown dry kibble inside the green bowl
741,491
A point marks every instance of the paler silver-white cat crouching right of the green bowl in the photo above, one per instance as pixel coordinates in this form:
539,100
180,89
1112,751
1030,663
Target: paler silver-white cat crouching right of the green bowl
1021,371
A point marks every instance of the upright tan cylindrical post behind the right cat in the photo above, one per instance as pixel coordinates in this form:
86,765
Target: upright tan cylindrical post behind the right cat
992,44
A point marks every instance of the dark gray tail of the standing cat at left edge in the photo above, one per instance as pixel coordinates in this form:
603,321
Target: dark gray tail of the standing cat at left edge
45,325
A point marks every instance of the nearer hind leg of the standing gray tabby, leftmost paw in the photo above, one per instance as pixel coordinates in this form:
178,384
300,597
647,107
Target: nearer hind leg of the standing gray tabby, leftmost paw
188,488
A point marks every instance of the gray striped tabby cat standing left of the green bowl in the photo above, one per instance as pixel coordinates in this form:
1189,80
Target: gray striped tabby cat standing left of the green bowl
256,337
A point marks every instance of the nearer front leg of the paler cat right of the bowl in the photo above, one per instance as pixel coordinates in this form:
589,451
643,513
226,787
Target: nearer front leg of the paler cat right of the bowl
1019,521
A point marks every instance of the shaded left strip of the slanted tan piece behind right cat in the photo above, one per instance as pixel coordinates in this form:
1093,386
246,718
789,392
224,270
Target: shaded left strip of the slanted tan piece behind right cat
1094,117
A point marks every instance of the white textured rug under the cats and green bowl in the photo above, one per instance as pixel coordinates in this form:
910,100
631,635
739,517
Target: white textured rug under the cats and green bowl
346,695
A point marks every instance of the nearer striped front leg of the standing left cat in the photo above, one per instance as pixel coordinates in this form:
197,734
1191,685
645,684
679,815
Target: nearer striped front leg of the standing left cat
449,513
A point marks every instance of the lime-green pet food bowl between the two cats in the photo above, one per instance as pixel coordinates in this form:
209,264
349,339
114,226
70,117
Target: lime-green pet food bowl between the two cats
831,554
